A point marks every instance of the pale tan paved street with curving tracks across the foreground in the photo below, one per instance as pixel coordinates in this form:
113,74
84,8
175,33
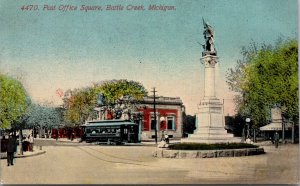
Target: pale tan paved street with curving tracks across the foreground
79,164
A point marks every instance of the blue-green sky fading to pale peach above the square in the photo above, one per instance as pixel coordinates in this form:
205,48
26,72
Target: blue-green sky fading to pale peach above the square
52,49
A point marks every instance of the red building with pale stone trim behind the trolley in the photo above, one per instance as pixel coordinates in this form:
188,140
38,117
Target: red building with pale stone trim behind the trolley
169,116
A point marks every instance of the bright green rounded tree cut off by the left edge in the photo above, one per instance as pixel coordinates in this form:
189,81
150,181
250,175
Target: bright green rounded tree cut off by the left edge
13,101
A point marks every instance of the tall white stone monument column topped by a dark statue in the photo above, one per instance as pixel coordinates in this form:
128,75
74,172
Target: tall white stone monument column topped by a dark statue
210,121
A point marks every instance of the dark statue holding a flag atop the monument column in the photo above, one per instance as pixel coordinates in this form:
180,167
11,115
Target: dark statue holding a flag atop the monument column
209,47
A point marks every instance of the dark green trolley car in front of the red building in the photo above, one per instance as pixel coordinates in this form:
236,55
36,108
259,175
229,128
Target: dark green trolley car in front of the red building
111,131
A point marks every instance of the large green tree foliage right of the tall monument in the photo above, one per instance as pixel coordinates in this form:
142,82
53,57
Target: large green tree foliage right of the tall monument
267,76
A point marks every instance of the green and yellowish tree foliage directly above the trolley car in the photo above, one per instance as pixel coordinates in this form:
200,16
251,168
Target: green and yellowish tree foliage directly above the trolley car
80,103
